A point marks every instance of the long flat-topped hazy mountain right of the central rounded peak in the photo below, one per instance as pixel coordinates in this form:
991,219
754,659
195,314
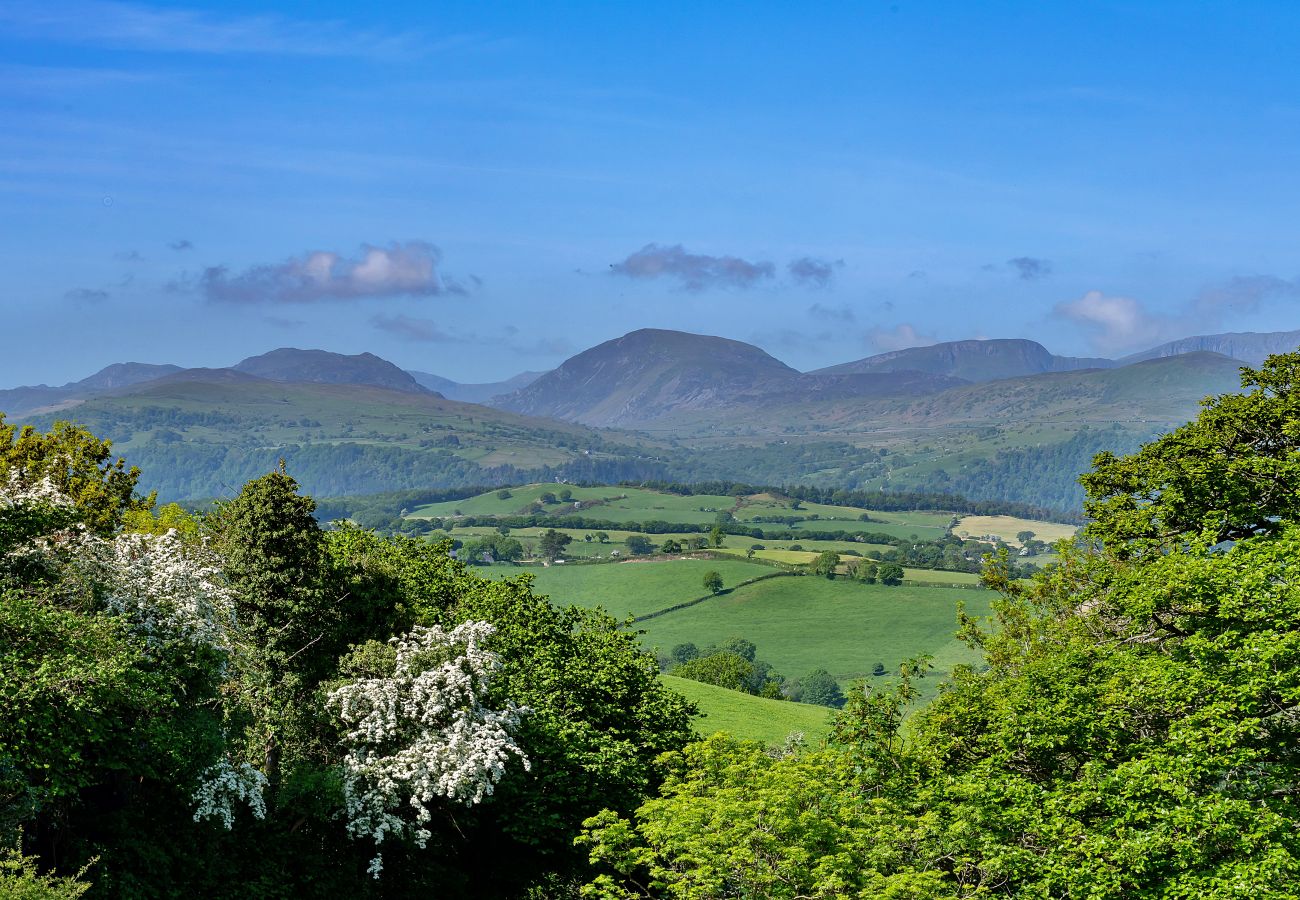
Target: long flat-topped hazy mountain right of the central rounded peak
972,361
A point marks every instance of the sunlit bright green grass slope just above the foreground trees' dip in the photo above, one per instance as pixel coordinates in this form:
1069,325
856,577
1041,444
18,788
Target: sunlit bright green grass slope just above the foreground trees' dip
752,719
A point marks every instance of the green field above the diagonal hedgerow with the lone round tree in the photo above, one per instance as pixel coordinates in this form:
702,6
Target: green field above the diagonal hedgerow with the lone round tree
631,589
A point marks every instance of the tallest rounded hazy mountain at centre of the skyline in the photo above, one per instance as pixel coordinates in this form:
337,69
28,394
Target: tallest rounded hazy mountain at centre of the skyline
647,374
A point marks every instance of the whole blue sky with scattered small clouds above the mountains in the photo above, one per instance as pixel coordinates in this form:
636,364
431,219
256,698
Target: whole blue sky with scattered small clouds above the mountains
476,189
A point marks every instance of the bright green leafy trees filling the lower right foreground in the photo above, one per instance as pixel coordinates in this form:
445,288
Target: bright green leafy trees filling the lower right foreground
1137,732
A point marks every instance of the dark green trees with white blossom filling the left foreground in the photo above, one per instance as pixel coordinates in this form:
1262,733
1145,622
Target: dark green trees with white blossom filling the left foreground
252,707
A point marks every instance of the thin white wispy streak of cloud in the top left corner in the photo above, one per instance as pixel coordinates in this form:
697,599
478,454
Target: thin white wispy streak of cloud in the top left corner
177,31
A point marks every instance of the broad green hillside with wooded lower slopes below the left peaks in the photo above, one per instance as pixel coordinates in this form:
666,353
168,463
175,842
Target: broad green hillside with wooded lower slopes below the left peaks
200,439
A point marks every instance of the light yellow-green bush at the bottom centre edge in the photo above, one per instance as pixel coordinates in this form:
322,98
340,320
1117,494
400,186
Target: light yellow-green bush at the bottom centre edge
735,820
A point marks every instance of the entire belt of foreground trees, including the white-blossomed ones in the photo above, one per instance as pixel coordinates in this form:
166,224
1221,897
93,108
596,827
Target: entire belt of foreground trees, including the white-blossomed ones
249,704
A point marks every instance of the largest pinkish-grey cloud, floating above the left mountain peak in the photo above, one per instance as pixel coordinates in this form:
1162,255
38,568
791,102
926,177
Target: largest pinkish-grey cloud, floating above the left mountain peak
400,270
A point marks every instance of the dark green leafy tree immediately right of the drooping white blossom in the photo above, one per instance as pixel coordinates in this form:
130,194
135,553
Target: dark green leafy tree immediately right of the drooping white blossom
599,717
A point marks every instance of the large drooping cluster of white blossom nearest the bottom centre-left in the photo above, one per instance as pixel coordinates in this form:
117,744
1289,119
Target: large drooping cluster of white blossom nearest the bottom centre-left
423,734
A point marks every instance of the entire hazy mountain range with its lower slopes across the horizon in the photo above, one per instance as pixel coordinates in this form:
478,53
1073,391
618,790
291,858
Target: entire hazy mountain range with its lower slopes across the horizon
1000,419
